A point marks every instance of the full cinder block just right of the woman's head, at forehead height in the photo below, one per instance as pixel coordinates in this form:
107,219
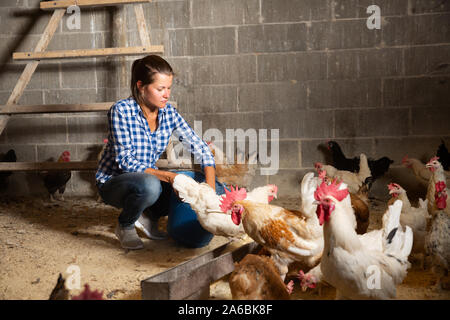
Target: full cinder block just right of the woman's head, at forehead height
224,70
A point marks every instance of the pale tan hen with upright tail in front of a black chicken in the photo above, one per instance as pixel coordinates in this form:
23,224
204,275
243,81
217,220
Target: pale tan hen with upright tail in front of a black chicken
354,181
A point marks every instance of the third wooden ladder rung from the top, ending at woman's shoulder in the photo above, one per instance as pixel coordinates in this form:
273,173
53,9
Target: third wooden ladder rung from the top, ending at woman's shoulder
55,108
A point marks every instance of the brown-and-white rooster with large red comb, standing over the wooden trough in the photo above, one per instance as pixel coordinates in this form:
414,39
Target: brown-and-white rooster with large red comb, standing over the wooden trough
285,233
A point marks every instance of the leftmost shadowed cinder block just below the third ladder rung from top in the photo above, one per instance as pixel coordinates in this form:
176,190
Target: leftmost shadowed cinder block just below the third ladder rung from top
39,130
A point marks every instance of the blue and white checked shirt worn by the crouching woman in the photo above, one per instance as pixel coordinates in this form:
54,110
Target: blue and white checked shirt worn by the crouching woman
132,147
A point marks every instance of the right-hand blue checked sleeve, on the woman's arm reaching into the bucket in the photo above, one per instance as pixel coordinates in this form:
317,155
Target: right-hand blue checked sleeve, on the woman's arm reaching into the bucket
197,146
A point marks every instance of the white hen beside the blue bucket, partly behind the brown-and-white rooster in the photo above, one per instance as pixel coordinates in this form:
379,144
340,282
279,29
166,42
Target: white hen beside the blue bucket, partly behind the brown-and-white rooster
206,204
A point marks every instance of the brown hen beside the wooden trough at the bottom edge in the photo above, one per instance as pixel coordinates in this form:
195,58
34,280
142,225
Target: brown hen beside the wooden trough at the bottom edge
257,278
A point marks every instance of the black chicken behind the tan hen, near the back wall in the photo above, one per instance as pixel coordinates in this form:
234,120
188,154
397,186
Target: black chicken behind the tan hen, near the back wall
340,162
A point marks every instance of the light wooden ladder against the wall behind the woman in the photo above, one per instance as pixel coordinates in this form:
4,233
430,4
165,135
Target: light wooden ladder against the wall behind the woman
11,108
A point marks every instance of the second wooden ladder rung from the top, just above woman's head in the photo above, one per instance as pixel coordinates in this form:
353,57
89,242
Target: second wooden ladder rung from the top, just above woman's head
86,53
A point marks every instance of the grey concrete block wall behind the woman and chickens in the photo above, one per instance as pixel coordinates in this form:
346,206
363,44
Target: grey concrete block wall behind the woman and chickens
310,68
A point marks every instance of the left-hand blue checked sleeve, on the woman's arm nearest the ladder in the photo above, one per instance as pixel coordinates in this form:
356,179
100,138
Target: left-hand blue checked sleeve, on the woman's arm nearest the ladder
123,144
